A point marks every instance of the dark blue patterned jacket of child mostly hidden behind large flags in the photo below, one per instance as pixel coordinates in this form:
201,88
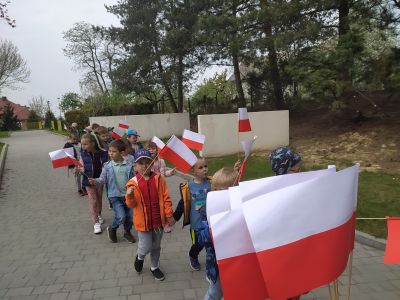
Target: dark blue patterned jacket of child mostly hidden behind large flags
204,239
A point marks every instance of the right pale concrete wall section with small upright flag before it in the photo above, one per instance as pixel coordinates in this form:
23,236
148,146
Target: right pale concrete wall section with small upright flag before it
221,131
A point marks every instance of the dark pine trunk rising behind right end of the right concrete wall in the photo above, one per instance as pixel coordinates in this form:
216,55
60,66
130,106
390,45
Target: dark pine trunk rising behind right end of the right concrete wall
273,62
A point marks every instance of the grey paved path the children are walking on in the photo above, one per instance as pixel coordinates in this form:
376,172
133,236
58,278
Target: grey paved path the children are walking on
48,249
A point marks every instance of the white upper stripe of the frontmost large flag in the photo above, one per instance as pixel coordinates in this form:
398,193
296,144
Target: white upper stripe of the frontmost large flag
301,210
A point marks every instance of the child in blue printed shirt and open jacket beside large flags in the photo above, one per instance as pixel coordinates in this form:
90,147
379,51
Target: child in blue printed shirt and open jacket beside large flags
194,194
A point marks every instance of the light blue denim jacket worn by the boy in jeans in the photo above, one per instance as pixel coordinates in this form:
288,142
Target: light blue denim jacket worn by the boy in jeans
107,177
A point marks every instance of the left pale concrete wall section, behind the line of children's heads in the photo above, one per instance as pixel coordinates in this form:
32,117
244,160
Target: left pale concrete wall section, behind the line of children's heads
160,125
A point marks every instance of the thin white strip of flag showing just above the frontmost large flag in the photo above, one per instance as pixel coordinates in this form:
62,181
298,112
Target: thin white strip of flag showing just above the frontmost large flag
255,188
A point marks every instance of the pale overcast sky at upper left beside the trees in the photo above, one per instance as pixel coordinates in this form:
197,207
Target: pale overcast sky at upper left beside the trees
38,36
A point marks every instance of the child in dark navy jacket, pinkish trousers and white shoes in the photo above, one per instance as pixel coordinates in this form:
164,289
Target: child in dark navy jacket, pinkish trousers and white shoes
92,159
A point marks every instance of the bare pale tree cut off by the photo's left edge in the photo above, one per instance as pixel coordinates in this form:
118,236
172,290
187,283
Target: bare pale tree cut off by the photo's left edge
13,68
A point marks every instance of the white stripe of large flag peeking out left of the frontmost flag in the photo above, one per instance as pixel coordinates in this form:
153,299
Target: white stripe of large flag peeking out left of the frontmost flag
228,242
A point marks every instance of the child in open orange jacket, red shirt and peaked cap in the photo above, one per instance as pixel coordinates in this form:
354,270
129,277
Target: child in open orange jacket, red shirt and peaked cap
147,193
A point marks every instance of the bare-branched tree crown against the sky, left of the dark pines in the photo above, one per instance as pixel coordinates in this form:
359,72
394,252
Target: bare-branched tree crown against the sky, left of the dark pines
93,50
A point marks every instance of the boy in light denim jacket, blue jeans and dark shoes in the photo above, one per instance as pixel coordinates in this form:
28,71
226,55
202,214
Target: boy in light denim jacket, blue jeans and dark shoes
115,175
